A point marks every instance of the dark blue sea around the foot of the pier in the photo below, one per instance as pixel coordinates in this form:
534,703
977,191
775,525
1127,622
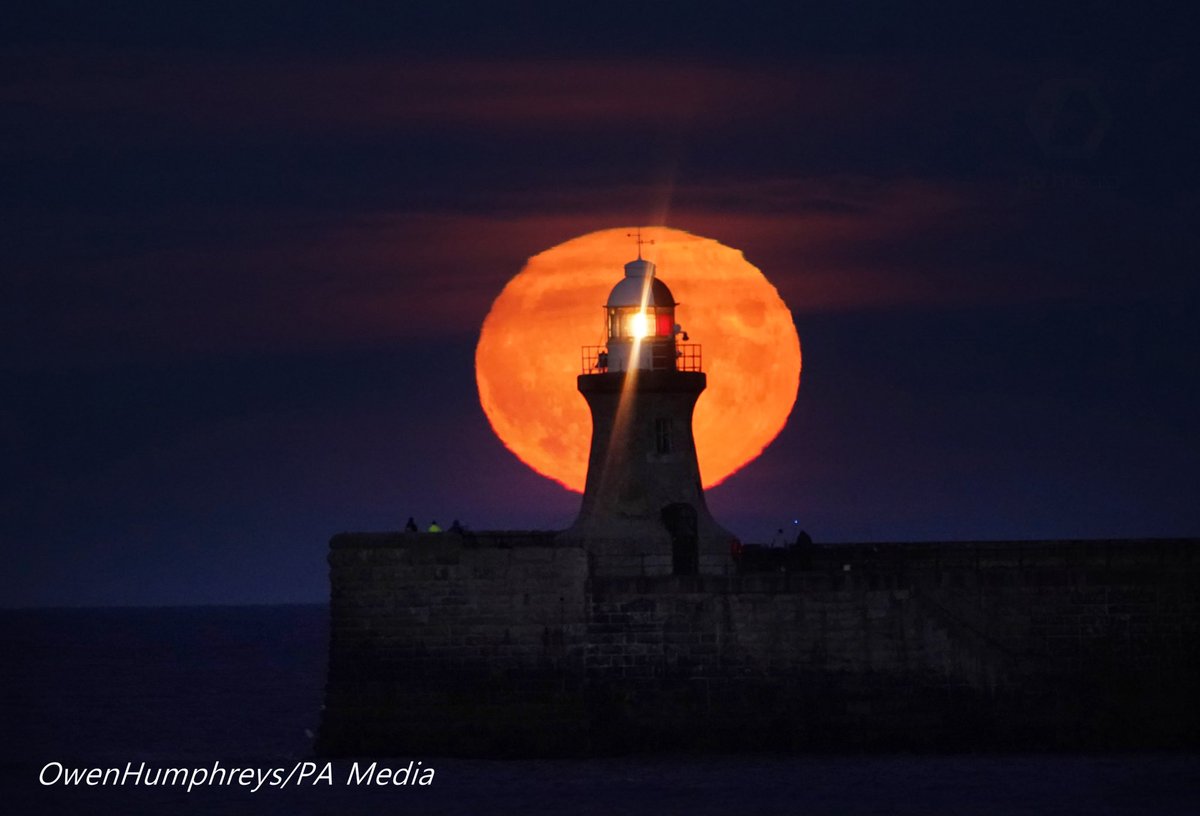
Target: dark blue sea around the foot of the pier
193,692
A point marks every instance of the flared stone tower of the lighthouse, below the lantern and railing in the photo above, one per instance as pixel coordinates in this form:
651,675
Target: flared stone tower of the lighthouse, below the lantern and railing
644,509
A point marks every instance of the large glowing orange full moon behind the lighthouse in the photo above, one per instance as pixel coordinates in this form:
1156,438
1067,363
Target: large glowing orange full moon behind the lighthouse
530,350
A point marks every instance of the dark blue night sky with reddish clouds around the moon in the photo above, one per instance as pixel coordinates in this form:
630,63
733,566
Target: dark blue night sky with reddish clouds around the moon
248,250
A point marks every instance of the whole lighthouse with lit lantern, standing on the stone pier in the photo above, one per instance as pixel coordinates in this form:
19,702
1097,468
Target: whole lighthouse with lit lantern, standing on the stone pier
644,508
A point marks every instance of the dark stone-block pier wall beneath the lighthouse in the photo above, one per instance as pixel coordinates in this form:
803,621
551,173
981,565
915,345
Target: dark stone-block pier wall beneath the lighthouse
505,645
